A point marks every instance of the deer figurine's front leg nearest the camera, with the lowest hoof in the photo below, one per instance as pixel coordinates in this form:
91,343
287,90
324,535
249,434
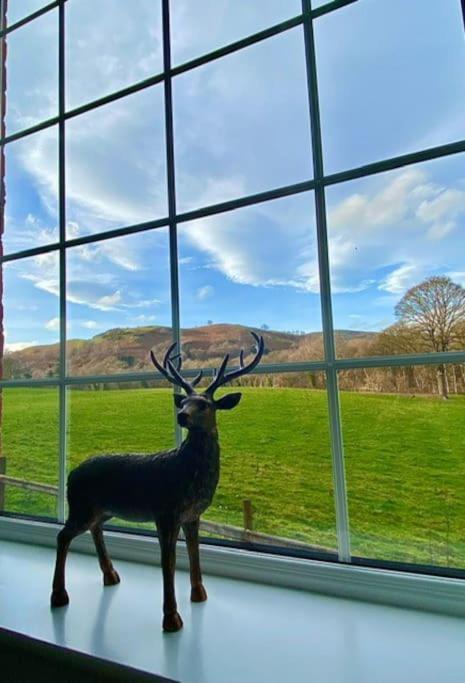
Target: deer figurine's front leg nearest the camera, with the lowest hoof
168,531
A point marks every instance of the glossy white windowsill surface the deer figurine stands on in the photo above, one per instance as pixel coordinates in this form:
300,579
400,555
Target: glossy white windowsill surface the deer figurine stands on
245,632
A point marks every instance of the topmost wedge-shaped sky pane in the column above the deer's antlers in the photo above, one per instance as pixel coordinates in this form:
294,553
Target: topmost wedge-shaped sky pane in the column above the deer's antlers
204,26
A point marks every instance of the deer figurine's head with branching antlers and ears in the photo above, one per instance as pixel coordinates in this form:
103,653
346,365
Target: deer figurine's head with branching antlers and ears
197,411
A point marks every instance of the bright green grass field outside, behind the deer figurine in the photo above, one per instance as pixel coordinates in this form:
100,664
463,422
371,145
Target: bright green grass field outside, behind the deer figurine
405,461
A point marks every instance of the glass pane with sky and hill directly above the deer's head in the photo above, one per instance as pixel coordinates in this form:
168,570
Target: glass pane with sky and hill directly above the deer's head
255,267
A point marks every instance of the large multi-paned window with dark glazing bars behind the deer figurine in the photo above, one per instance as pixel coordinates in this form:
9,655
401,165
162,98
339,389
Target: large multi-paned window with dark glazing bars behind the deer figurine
171,172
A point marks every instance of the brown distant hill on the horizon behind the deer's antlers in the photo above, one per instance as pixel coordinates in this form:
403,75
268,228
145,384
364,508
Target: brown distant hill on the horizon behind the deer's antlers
123,350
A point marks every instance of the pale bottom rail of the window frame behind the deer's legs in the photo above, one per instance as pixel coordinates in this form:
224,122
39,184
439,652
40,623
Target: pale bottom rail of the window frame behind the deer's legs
430,593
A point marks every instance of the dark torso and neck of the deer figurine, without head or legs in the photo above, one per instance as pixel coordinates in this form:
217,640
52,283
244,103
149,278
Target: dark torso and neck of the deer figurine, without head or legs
180,482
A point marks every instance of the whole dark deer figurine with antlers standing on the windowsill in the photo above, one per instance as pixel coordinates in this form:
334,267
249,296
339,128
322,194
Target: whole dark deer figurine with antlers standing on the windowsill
171,488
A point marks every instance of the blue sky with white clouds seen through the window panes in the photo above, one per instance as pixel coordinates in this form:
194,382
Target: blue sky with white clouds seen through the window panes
391,78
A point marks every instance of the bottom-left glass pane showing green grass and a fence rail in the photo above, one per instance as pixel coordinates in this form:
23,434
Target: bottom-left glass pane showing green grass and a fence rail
29,451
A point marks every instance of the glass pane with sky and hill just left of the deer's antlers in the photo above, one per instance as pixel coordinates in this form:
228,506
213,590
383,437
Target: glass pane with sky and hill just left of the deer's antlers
118,303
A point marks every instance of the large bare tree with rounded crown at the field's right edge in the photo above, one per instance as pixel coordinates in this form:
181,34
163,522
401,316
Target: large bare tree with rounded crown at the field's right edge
435,311
